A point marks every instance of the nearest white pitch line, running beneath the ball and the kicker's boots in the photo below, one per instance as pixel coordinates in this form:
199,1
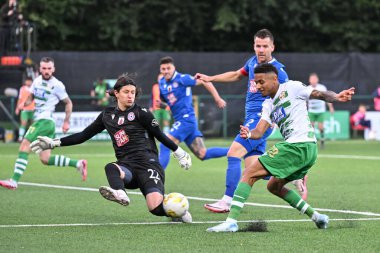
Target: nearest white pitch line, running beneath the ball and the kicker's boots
168,222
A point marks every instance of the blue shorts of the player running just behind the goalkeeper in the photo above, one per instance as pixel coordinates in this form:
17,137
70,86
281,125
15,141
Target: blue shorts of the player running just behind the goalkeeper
186,130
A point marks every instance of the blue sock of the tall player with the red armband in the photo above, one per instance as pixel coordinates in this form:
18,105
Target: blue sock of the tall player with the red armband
233,175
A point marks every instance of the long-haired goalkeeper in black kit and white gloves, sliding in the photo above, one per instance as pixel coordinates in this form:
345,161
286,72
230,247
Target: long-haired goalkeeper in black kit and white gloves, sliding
132,129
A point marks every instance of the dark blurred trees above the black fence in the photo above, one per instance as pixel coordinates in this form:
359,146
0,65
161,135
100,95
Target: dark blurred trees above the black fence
197,25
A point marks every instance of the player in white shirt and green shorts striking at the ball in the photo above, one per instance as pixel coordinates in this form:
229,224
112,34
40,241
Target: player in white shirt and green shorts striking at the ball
288,160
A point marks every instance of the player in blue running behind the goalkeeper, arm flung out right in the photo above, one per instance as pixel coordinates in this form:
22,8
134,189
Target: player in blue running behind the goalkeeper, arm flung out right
175,90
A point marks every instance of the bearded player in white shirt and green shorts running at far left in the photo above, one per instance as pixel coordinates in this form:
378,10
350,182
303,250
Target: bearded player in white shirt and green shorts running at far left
47,91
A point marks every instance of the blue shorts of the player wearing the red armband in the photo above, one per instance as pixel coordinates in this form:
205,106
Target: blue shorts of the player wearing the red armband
254,147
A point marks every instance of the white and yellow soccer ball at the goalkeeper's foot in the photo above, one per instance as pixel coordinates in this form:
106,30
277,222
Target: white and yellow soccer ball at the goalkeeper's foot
175,204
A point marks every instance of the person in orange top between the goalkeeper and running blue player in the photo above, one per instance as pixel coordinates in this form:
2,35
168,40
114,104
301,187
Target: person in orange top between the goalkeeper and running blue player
160,110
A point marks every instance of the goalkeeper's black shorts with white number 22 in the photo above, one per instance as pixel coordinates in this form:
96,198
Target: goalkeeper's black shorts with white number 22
147,176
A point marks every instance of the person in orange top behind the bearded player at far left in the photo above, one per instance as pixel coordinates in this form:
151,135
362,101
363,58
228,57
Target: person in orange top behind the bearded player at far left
27,111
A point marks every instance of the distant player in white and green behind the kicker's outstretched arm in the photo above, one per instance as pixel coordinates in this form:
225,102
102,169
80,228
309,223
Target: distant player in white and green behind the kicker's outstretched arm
317,108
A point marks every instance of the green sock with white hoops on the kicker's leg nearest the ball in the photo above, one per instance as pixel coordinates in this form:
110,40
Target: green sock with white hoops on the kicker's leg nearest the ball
241,195
